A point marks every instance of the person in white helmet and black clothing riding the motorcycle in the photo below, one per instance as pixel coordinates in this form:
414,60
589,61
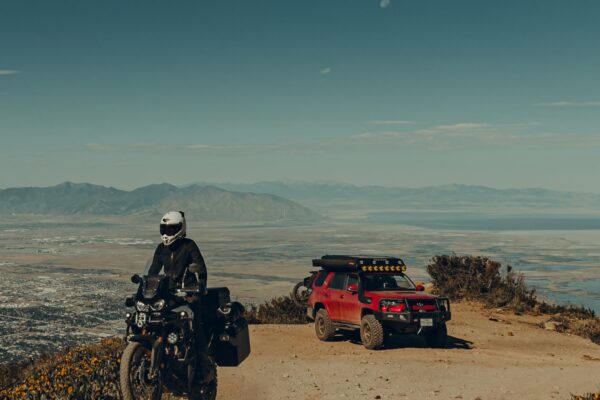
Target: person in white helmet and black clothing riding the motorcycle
175,254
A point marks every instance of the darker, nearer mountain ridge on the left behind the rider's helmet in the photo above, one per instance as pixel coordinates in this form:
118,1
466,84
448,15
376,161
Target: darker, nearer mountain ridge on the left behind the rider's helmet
204,202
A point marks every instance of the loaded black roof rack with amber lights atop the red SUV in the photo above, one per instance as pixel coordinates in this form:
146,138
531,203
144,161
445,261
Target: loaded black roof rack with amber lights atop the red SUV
357,263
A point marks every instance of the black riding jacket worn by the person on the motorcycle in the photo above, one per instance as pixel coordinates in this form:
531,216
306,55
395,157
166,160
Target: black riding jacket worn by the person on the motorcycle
176,258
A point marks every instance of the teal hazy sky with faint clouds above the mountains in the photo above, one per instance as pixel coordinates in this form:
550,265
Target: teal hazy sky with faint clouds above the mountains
369,92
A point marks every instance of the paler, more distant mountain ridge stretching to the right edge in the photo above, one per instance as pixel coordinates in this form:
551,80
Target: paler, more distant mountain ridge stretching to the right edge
324,197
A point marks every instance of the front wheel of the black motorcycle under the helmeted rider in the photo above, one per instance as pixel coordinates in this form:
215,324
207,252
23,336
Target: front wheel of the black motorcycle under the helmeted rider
135,381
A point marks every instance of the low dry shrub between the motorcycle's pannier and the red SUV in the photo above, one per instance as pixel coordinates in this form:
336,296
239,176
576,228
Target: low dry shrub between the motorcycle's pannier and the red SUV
278,310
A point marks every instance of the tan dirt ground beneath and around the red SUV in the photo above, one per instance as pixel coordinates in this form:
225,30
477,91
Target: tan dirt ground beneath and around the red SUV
491,355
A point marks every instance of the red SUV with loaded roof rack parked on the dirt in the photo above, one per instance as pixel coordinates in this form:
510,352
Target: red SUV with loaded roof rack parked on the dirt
373,295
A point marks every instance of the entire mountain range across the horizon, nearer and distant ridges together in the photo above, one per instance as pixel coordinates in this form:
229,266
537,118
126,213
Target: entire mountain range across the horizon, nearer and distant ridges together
283,201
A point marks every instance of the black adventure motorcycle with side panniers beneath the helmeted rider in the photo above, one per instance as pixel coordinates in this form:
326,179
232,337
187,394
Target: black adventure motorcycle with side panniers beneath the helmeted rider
161,342
